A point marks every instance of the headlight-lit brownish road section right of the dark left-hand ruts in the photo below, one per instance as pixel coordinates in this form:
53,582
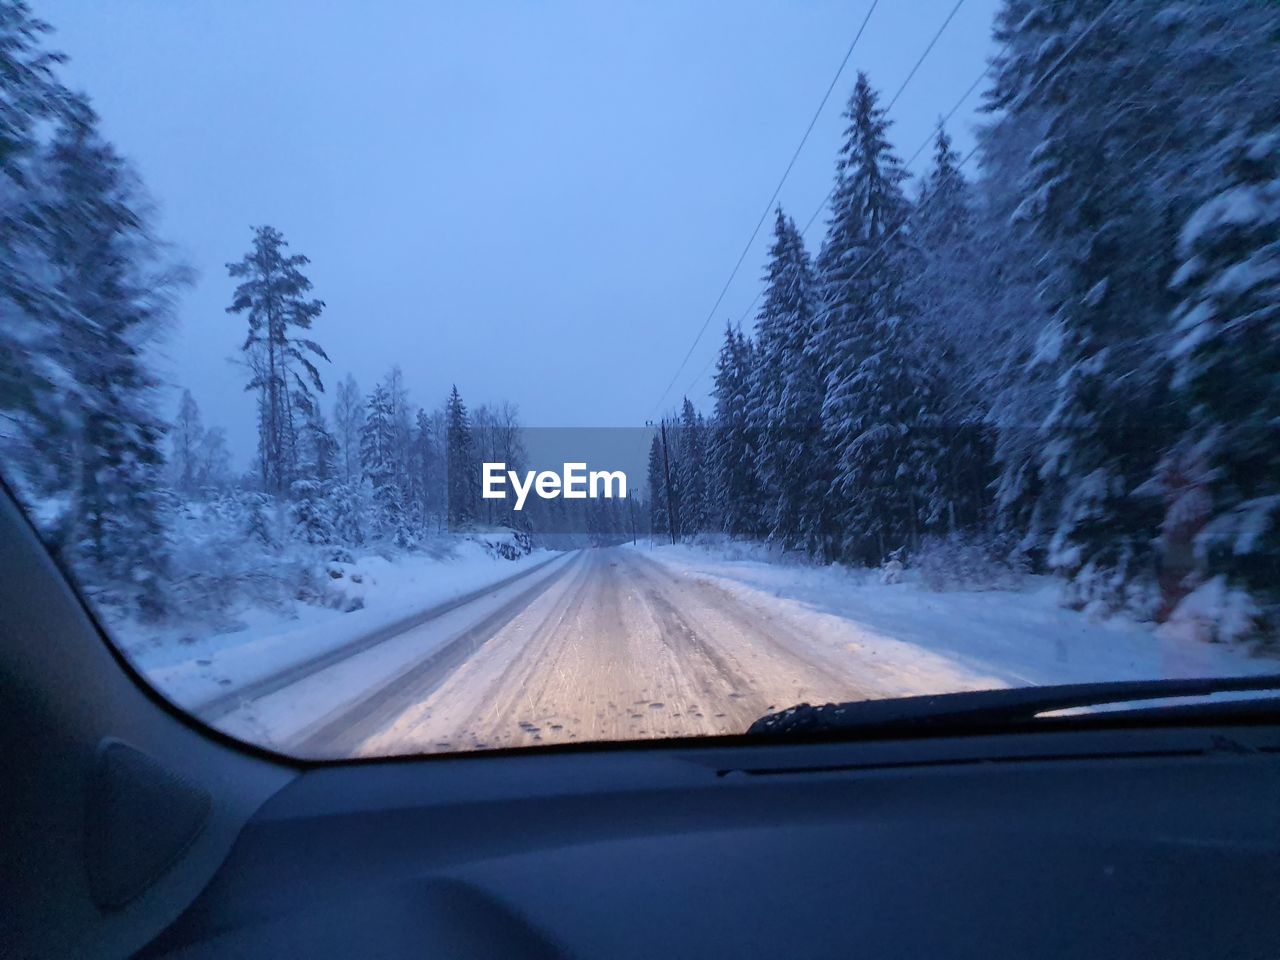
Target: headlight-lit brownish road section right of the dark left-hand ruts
620,648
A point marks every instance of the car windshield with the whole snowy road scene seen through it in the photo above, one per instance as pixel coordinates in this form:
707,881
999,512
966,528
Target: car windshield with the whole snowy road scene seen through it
410,378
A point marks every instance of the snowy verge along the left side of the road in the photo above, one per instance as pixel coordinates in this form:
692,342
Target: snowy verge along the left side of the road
193,664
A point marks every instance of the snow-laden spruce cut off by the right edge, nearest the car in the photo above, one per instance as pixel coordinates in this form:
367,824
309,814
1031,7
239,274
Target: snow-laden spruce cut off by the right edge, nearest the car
1228,368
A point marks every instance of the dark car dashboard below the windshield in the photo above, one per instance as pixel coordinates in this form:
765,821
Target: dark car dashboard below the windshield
1087,844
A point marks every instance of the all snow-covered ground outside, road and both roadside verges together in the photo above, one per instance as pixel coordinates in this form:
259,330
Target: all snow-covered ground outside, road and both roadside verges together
630,643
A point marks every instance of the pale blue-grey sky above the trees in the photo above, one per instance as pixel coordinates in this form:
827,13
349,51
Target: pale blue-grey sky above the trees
538,202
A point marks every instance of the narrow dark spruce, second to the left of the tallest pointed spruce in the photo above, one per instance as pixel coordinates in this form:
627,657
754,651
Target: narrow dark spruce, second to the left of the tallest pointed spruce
733,493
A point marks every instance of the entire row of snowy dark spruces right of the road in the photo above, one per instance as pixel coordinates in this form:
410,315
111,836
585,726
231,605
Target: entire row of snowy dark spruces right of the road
1071,351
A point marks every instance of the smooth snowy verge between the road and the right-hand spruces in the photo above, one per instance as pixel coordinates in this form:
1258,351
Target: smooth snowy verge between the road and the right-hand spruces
957,641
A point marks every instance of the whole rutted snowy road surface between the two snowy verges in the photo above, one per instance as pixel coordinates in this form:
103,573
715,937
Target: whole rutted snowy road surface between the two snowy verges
605,644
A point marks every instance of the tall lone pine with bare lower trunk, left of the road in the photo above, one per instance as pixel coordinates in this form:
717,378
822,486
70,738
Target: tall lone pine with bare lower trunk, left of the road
272,295
